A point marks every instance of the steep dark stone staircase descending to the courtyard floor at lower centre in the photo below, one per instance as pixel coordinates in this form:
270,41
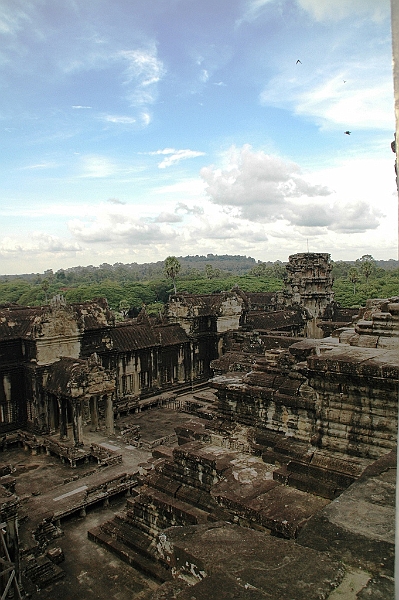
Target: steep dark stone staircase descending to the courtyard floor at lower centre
168,497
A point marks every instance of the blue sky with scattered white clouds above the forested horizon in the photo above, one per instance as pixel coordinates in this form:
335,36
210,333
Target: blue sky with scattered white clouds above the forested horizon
137,129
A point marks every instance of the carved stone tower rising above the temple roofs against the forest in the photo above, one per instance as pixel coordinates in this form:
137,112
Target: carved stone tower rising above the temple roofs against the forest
309,284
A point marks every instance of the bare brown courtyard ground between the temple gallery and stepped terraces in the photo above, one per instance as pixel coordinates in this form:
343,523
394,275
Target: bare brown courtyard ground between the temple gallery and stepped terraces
90,570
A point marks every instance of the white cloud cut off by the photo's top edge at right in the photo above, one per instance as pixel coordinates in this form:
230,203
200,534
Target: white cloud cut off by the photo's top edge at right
326,10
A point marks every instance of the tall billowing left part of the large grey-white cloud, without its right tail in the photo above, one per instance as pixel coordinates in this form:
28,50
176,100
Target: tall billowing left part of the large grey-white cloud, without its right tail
259,185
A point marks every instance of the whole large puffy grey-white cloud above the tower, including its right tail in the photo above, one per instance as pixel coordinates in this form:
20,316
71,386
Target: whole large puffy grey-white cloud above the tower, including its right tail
266,189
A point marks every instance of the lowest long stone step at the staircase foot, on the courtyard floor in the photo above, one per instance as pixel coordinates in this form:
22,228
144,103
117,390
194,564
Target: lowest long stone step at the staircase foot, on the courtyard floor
147,566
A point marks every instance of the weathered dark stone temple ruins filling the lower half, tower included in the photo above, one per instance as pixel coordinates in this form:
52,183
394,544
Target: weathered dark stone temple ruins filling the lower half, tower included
242,445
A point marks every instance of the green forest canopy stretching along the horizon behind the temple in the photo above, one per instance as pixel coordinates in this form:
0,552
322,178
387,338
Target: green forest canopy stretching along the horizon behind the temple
135,284
